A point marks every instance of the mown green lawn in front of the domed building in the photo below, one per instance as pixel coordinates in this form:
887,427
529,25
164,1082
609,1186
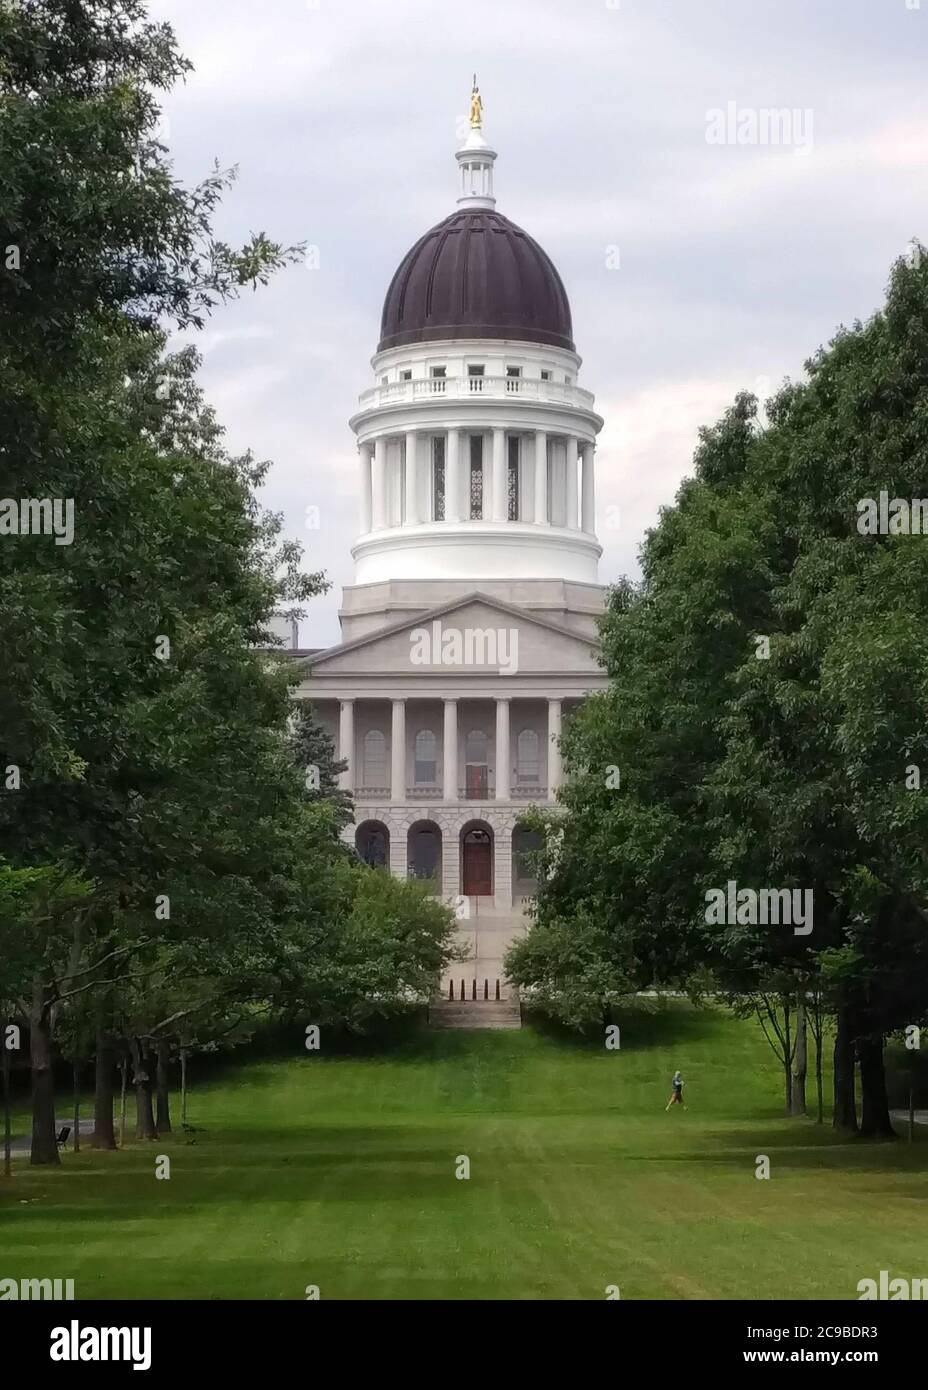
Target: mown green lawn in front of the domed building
341,1174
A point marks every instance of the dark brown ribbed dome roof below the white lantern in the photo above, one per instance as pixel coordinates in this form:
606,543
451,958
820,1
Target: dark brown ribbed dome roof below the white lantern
476,276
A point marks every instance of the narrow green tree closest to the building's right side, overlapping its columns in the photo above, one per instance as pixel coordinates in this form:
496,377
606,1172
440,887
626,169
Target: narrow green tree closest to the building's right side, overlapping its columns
636,847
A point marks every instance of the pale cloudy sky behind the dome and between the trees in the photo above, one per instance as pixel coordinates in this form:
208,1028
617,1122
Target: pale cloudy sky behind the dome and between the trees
736,261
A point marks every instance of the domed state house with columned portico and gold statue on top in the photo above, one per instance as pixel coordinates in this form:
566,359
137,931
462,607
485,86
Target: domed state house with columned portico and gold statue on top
470,629
